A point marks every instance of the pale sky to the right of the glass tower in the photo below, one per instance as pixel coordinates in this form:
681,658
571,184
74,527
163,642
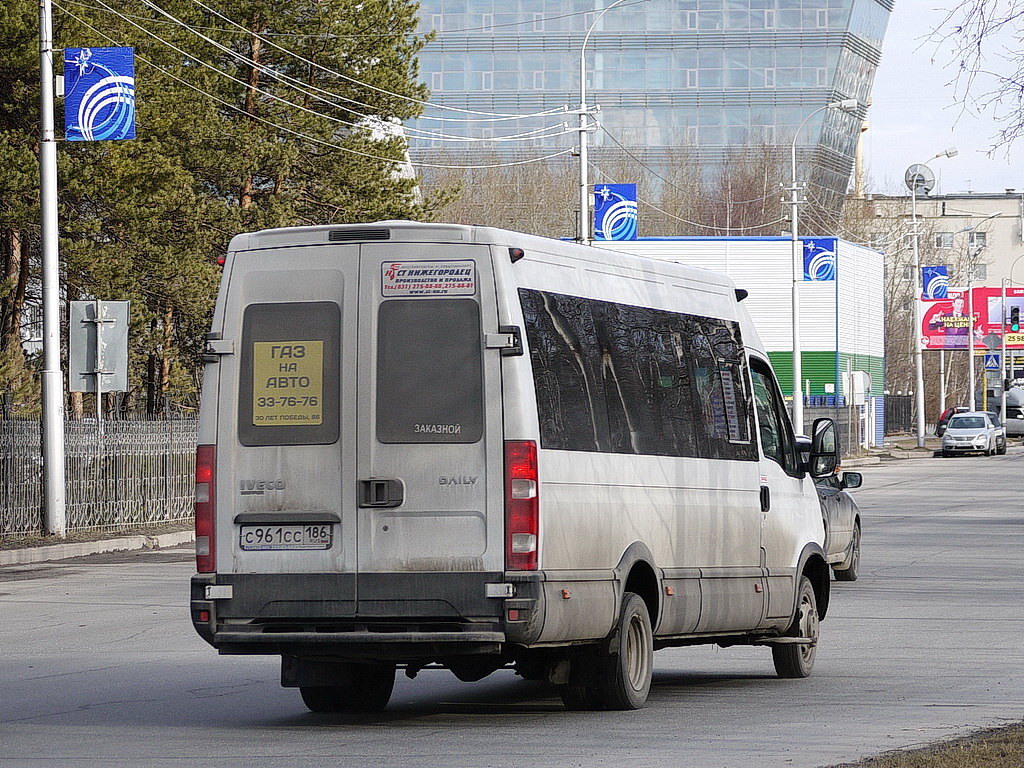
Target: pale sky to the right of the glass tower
917,113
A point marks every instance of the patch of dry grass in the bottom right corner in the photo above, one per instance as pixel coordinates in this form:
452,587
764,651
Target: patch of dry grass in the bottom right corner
999,748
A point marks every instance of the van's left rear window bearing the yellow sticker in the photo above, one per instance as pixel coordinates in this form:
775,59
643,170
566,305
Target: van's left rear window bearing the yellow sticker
288,387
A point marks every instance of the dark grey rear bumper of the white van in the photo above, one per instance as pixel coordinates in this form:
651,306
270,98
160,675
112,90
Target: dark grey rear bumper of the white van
383,616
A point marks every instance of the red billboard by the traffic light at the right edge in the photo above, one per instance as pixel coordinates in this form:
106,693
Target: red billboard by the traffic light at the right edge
946,324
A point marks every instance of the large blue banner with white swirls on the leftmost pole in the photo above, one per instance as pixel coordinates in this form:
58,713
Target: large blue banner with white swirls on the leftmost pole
100,95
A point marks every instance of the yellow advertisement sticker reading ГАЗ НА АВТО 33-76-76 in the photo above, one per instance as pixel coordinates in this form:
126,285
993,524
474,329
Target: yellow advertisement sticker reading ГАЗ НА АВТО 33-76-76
288,383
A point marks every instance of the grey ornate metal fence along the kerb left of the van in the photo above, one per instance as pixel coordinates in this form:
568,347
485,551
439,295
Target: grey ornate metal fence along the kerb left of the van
140,473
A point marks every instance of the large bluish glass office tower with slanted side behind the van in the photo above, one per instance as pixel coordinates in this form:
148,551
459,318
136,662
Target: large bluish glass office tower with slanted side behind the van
707,75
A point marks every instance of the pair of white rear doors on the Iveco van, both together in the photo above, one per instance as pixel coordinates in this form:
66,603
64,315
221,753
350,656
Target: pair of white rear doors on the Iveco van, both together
357,422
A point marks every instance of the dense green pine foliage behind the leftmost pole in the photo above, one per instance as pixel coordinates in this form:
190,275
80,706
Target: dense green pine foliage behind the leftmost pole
226,145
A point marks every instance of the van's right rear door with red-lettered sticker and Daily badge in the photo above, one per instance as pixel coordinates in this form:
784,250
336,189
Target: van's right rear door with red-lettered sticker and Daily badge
431,424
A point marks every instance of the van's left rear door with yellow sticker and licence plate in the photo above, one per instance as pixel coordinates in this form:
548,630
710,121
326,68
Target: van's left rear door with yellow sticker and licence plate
286,422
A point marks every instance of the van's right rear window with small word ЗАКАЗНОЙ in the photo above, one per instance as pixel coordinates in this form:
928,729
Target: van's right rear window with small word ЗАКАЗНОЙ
430,371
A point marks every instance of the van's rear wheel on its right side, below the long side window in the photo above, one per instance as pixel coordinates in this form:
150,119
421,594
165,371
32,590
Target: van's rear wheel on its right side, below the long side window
625,679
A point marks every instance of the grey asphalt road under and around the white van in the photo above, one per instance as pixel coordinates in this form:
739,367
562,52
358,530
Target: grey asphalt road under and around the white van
100,665
